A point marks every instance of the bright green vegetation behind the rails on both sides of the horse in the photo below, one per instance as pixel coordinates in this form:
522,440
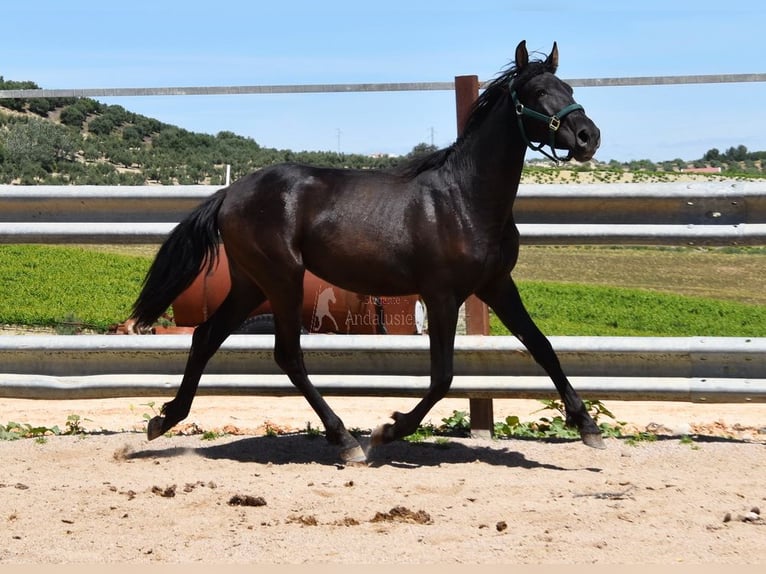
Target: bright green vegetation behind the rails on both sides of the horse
55,286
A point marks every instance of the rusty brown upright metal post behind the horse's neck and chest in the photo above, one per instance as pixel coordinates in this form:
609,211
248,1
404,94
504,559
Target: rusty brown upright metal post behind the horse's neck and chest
476,312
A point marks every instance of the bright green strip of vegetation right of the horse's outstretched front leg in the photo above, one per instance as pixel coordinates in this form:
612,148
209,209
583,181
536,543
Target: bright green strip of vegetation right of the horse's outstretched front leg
571,309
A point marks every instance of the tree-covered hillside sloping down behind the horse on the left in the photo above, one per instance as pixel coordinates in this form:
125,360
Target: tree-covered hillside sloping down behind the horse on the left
82,141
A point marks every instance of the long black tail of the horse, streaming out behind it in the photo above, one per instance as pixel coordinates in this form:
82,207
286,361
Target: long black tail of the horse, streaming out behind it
192,244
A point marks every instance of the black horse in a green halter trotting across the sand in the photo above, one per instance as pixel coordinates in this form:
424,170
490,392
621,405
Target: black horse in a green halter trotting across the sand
441,227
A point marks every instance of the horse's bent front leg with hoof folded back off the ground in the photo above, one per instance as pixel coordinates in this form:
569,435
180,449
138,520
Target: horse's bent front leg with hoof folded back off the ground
442,322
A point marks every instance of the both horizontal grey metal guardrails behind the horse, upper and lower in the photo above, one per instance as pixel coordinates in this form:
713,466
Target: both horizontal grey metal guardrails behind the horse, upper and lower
637,368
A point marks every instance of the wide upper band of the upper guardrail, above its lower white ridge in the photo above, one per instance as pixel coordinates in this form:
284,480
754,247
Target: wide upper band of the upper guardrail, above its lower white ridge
719,203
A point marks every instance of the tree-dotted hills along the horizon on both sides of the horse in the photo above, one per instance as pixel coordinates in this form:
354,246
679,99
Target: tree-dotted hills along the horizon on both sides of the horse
80,141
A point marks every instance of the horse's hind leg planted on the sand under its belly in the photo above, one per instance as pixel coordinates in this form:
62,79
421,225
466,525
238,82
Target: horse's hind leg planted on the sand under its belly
287,302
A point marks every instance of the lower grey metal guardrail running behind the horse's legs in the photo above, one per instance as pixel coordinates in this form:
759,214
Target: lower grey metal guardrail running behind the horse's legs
666,368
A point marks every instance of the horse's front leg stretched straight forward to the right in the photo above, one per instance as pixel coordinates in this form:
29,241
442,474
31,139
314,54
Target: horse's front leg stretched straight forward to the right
504,299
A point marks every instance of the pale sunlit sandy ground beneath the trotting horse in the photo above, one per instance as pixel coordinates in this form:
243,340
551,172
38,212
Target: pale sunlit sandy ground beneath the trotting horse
111,496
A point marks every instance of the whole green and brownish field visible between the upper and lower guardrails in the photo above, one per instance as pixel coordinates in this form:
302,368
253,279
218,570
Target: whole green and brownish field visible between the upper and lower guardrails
568,291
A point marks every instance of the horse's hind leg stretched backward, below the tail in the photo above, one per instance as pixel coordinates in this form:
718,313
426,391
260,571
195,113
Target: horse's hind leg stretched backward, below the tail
243,297
